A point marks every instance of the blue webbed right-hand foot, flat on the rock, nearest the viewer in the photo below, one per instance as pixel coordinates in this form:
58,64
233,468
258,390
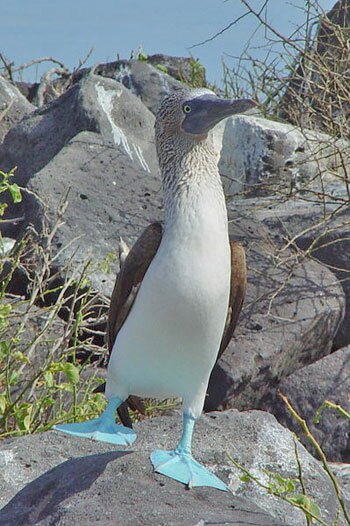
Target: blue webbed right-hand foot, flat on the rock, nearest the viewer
181,466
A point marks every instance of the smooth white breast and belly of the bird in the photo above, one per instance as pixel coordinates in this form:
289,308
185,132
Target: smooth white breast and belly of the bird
169,342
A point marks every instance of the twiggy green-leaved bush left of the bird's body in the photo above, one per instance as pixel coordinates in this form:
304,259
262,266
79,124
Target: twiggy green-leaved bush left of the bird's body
42,379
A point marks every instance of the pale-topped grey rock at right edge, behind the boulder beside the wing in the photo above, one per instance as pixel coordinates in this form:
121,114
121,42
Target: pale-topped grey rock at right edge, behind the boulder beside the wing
324,228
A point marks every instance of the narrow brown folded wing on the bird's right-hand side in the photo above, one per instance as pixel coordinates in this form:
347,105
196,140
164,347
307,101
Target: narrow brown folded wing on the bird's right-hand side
237,293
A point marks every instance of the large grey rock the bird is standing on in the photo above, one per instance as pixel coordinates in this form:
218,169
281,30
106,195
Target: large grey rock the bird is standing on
55,479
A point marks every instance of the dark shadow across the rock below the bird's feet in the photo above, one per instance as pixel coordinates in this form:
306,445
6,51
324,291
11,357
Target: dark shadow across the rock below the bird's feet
42,496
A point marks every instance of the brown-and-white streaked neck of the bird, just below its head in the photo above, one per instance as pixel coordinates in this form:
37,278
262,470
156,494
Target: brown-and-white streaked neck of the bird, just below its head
193,193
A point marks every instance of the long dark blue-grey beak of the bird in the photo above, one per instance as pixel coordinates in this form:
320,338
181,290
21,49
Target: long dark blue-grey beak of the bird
207,111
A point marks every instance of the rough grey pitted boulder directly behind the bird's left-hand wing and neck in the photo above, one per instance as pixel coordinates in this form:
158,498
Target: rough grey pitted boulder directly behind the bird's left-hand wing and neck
110,196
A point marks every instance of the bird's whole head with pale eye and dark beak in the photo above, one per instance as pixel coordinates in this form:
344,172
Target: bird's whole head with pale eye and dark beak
194,112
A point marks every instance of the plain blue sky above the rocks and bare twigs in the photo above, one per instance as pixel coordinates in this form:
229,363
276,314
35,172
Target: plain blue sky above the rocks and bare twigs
68,29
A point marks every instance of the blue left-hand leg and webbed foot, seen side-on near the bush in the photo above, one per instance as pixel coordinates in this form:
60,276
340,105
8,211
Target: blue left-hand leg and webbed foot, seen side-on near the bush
104,428
